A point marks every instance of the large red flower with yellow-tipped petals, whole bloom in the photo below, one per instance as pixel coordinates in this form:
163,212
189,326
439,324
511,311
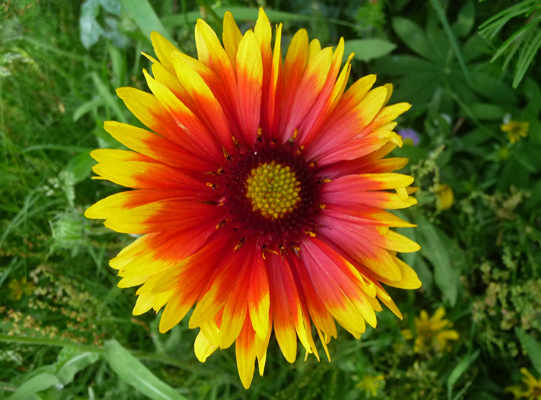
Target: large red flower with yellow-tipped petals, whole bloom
260,194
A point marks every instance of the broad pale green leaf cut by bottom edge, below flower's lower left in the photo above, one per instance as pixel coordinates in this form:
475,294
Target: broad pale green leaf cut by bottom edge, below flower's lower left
133,372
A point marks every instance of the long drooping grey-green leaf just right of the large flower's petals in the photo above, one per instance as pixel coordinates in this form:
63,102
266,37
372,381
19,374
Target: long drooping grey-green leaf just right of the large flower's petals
433,249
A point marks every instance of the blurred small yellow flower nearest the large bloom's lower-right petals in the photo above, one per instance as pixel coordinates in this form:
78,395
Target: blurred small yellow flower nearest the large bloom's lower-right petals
430,331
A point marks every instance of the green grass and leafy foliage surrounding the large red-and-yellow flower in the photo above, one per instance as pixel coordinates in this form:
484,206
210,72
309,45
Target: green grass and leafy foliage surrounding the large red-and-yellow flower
66,330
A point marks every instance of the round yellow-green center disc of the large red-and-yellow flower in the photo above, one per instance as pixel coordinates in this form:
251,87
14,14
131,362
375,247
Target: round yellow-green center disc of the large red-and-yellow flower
273,190
